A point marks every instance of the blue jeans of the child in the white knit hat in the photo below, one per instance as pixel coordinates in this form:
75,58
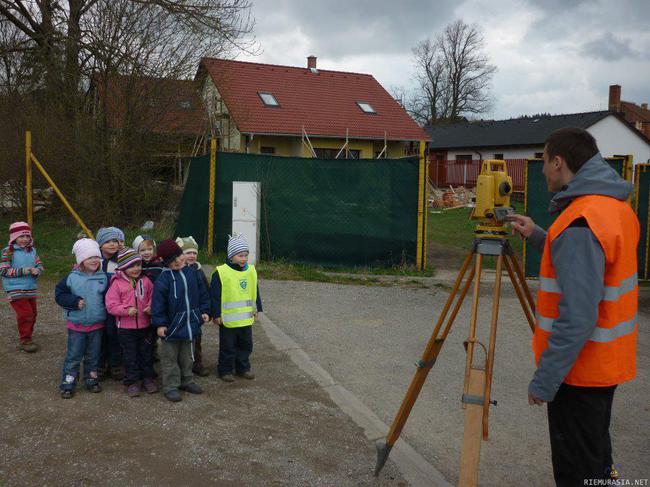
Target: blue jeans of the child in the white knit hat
84,346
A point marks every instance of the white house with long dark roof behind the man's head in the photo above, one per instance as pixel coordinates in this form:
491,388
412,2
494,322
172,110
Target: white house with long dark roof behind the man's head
523,138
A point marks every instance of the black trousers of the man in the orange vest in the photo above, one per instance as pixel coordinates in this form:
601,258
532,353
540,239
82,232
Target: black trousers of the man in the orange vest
578,420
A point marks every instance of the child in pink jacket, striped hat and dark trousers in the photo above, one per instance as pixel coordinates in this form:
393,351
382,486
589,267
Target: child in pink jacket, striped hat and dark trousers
129,300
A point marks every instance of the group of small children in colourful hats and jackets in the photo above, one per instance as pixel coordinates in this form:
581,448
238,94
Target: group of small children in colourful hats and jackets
119,302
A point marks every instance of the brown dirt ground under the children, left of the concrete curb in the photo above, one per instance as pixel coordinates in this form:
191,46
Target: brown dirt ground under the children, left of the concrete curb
280,429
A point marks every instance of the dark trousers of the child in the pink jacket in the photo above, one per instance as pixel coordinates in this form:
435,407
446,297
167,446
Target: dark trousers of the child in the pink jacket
137,352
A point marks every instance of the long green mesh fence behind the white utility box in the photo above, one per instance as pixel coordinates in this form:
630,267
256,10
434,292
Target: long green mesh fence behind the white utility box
324,211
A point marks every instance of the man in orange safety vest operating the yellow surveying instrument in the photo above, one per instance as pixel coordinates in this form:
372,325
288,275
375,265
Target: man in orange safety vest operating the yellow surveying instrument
586,324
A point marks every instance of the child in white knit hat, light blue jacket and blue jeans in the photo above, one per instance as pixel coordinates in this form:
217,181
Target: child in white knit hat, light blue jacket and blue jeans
81,295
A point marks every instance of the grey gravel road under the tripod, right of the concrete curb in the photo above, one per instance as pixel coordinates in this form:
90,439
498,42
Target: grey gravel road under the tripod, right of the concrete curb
369,338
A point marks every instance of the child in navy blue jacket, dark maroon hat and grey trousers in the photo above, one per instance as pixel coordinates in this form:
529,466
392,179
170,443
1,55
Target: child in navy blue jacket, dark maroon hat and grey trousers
179,307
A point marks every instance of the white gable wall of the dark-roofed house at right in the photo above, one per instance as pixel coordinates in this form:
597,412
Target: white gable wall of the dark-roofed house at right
615,137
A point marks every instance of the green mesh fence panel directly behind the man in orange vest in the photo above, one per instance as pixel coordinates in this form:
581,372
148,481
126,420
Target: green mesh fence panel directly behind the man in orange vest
537,199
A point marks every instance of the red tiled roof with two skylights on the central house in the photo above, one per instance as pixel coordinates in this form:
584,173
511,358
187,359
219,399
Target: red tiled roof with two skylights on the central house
325,103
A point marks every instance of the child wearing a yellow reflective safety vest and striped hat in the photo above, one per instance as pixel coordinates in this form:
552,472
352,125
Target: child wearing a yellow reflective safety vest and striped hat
235,302
